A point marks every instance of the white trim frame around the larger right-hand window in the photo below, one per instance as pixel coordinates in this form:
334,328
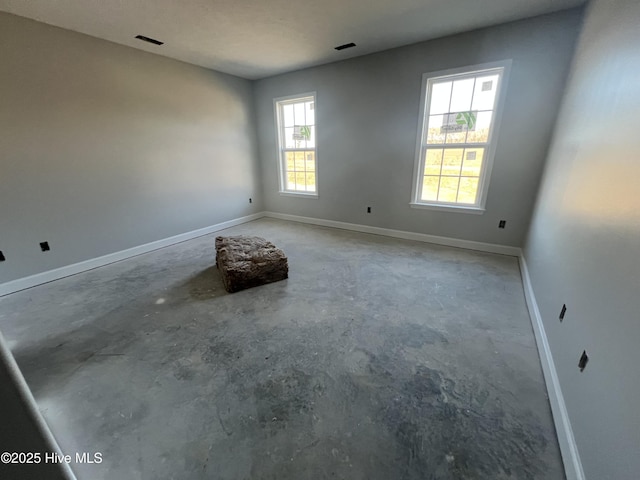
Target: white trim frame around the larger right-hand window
483,184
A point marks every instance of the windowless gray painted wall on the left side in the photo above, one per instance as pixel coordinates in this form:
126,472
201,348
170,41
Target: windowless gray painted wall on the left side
104,147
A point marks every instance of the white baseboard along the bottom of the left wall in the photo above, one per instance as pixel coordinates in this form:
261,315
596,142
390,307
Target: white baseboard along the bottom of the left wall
58,273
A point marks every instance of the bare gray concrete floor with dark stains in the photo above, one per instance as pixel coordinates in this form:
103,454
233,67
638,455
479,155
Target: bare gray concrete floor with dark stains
378,359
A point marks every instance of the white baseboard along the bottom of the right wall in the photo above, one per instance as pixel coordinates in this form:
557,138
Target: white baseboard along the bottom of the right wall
568,447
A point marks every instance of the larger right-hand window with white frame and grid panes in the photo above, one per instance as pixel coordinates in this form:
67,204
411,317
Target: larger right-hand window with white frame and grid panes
459,116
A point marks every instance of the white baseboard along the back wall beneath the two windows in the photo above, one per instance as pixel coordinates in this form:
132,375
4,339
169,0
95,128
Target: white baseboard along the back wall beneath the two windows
420,237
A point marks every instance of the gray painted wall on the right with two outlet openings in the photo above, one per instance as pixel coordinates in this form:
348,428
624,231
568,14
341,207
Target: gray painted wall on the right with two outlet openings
583,248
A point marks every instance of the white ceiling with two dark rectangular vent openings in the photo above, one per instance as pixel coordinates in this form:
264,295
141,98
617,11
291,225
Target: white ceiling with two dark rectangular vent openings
259,38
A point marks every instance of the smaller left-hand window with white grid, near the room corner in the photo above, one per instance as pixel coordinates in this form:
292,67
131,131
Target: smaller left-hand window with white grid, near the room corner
296,125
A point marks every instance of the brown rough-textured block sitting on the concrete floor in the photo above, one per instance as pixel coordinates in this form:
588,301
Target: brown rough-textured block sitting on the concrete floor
246,262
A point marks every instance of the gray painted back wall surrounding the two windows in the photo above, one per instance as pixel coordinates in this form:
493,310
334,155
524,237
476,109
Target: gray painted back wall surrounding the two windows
367,111
